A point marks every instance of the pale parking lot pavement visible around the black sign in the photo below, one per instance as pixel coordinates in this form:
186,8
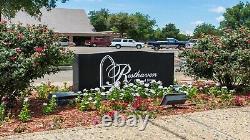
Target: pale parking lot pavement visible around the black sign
67,75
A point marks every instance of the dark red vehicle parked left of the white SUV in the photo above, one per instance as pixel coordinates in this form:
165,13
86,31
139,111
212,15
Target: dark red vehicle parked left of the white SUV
98,42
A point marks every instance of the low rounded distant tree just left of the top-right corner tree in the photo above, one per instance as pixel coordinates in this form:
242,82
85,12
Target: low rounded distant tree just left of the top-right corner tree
205,29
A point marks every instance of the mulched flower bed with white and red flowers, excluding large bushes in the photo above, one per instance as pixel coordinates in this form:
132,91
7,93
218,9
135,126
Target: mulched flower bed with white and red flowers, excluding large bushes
139,98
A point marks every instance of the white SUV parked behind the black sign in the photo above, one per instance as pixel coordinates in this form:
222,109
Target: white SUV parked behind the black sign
118,43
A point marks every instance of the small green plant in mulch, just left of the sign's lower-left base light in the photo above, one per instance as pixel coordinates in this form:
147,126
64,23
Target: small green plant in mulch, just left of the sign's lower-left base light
50,107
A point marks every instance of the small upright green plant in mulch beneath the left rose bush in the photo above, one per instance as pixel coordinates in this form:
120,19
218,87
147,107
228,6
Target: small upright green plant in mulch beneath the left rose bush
24,115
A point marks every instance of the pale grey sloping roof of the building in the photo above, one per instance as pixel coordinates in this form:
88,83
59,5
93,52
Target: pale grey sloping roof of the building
58,19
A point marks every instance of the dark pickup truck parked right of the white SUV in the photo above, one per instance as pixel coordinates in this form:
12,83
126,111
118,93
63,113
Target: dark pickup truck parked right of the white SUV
168,43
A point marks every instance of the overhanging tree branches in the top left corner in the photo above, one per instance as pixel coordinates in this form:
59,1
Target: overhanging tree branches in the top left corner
9,8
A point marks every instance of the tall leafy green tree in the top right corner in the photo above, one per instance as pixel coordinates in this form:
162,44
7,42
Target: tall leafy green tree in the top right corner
237,16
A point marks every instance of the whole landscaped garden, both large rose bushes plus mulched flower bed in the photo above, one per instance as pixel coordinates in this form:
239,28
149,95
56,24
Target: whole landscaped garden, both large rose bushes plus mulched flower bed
28,53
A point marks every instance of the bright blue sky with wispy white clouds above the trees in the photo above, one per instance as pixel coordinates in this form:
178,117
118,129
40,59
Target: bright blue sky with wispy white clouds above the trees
186,14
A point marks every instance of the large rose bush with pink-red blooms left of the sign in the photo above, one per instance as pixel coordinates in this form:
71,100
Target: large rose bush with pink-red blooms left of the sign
26,53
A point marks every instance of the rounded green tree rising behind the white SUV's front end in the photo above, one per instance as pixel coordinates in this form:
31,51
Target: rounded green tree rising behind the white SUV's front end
142,27
